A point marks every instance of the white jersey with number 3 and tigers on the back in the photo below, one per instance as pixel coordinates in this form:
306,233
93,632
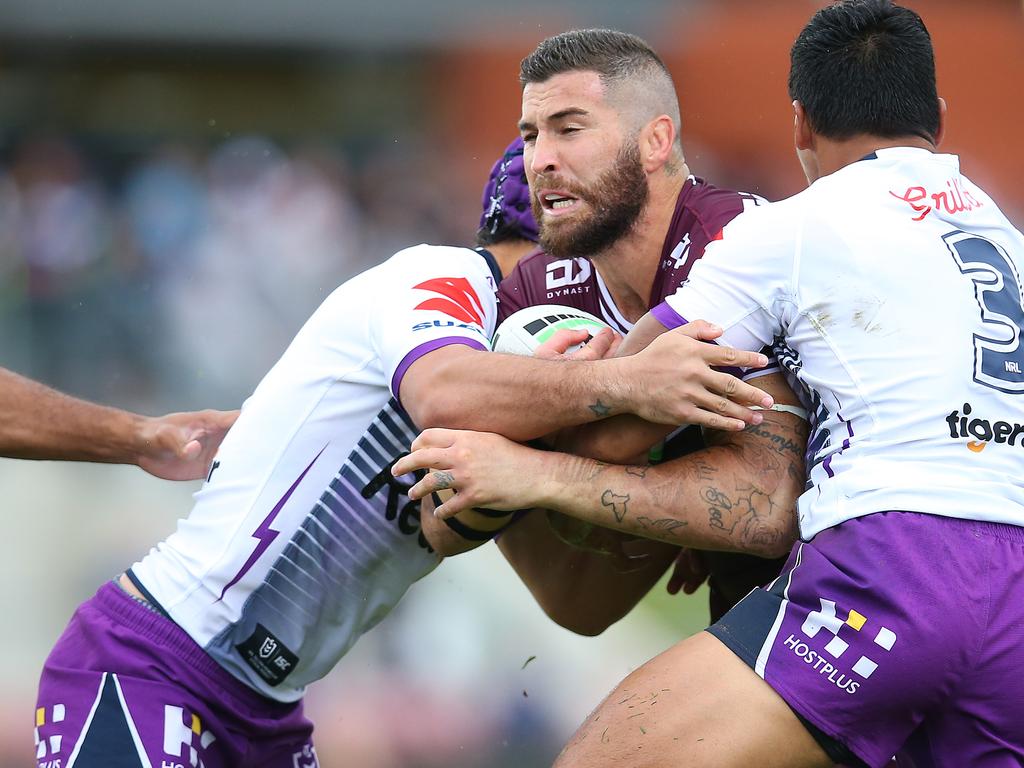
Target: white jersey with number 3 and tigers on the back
891,290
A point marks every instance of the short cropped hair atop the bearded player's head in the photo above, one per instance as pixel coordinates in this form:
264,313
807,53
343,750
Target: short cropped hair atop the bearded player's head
611,54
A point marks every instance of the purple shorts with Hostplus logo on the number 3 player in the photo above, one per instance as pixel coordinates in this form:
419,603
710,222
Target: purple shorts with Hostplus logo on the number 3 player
898,634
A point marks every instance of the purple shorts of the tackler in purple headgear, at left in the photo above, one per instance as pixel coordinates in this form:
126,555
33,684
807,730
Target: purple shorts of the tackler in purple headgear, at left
124,687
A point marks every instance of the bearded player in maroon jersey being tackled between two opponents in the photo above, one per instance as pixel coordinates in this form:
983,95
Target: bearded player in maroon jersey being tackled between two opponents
622,222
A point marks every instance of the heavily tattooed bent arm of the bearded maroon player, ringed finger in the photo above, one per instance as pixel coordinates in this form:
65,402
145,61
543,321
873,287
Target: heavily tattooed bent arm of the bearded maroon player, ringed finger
737,495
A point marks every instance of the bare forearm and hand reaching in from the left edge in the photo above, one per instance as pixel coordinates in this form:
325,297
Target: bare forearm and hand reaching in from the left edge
37,422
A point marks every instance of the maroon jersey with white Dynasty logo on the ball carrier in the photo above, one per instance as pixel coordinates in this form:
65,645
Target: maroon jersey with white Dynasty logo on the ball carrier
702,212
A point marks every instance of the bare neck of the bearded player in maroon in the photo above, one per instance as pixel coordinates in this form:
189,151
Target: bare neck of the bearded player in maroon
629,267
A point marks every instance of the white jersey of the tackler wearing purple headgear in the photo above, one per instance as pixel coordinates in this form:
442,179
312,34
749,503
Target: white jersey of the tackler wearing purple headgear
301,540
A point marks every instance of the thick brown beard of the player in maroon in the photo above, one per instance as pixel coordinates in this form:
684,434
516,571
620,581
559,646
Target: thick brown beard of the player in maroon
616,201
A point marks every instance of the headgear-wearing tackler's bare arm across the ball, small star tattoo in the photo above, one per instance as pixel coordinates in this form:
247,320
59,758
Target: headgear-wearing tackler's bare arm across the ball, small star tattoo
671,382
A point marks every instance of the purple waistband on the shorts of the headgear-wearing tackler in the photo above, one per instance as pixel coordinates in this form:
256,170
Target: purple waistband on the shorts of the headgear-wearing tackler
133,615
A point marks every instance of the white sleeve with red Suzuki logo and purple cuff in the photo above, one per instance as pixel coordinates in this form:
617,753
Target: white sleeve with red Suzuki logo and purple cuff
436,296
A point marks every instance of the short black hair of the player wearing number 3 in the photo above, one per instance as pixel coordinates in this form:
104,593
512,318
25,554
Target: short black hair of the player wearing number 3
866,67
